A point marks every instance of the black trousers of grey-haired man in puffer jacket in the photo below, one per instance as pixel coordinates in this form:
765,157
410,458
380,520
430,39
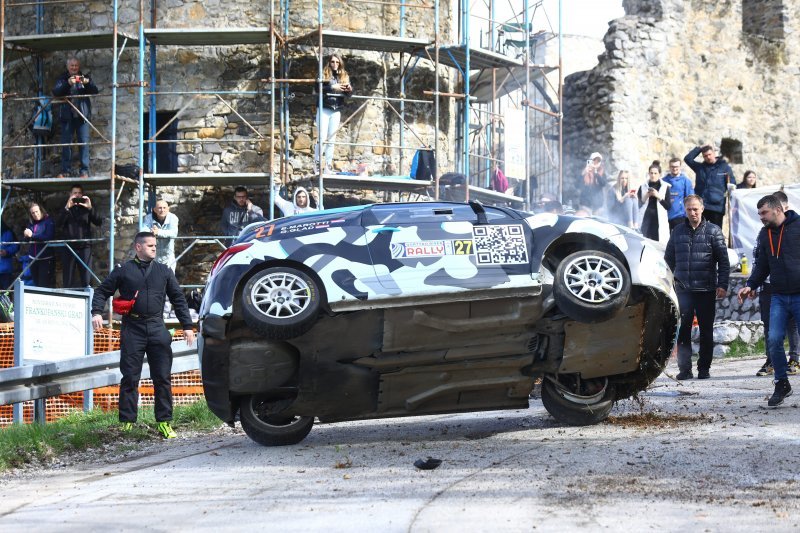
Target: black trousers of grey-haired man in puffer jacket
702,304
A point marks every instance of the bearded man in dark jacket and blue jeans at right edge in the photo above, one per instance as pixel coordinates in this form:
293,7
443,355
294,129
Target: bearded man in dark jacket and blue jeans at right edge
778,258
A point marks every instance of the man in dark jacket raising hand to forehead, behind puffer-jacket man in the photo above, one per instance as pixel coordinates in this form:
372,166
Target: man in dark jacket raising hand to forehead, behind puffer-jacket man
712,178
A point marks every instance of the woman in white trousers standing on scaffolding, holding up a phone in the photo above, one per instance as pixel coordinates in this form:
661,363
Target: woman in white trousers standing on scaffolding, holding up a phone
335,88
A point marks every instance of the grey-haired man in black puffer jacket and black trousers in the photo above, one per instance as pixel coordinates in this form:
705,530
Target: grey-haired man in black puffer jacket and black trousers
697,255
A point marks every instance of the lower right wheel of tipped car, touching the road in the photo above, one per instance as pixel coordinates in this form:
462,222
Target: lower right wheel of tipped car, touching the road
577,402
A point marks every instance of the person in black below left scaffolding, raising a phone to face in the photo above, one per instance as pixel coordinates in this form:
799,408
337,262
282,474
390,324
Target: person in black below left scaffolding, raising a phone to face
75,222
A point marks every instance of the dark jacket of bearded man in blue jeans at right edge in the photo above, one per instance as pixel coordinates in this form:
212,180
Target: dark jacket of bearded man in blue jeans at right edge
779,260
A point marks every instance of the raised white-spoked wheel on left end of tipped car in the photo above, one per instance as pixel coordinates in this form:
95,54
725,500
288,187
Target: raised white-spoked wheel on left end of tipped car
280,302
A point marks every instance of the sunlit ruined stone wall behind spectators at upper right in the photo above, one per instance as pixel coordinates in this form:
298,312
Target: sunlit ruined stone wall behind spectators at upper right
675,74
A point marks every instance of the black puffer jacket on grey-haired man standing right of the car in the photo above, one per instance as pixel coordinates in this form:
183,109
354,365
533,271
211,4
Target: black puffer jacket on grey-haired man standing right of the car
698,257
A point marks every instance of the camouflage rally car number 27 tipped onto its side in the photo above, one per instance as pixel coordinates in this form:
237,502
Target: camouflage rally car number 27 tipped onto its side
419,308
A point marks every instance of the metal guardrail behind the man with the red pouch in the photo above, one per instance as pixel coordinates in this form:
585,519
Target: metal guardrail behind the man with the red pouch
43,380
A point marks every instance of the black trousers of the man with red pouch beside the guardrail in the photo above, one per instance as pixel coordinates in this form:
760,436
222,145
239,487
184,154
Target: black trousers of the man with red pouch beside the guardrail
138,337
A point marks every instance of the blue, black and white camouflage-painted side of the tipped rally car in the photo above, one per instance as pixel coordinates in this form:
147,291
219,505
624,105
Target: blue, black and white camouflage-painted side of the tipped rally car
401,254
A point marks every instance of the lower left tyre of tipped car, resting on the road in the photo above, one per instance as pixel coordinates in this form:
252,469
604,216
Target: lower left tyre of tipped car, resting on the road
262,421
